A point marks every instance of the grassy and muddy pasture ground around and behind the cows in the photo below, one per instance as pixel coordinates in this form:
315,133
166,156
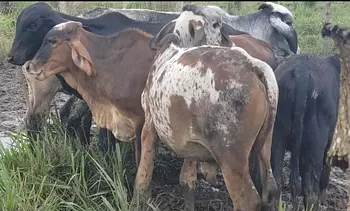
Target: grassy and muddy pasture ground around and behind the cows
63,176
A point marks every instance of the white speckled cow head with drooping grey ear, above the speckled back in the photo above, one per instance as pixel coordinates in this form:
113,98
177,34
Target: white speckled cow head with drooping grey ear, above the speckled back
195,29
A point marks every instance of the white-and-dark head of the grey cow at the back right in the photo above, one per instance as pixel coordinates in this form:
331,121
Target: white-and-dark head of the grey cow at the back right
282,20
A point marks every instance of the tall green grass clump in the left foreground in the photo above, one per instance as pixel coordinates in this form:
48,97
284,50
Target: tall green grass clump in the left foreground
59,174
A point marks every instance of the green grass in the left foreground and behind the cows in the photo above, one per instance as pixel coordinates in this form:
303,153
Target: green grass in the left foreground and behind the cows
61,175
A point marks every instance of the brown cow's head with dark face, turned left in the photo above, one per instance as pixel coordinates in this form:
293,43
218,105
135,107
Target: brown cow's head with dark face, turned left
60,51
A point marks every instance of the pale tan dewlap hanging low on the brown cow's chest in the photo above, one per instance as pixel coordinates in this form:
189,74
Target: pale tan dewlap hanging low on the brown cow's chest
108,116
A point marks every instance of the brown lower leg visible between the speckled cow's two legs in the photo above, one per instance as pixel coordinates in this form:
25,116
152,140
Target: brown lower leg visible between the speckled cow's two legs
188,178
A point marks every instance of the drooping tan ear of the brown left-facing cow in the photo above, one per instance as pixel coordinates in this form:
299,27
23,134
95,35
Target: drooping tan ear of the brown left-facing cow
82,58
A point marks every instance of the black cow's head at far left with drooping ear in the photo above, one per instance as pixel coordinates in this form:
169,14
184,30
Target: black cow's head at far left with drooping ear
31,27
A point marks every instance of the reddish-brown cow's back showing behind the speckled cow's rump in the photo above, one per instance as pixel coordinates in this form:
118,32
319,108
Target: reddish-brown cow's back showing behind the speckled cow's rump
256,48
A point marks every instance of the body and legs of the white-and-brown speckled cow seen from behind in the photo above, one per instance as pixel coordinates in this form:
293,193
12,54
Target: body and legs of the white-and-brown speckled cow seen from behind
227,100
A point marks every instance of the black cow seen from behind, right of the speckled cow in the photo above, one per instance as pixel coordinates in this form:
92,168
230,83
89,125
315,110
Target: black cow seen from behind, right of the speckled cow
305,122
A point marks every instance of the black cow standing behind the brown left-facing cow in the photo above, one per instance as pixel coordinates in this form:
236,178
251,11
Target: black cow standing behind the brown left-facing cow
35,21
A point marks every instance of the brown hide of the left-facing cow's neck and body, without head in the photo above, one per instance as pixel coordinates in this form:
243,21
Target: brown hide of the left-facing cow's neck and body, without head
122,64
